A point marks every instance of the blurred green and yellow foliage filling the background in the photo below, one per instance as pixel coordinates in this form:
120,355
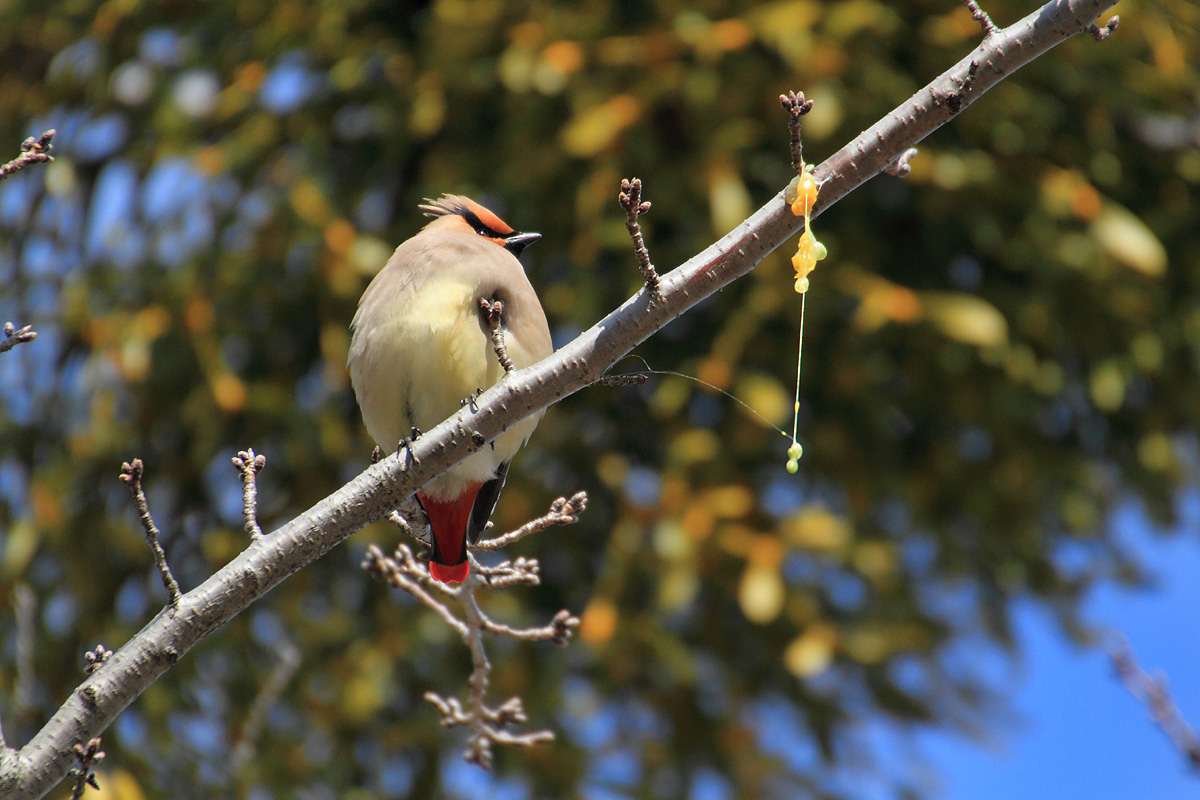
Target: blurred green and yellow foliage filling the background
1001,348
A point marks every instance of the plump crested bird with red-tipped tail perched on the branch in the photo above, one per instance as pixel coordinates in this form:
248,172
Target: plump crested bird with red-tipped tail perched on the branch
422,345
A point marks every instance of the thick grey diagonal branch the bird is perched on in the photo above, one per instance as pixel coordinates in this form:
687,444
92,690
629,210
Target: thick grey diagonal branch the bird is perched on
92,708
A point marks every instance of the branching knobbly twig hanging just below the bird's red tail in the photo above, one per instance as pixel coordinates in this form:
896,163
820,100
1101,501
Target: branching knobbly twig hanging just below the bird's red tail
489,724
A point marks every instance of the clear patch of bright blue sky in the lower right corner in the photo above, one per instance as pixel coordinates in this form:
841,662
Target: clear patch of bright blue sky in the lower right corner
1079,733
